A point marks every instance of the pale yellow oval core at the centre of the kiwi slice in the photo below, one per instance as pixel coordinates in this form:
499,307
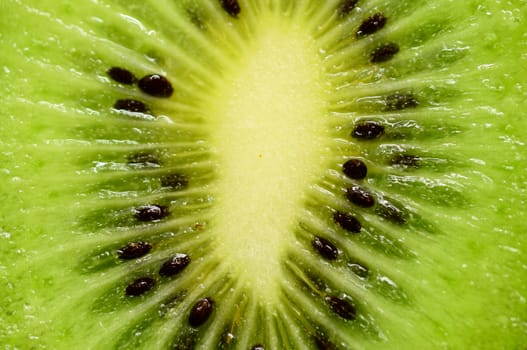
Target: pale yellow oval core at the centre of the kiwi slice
270,139
